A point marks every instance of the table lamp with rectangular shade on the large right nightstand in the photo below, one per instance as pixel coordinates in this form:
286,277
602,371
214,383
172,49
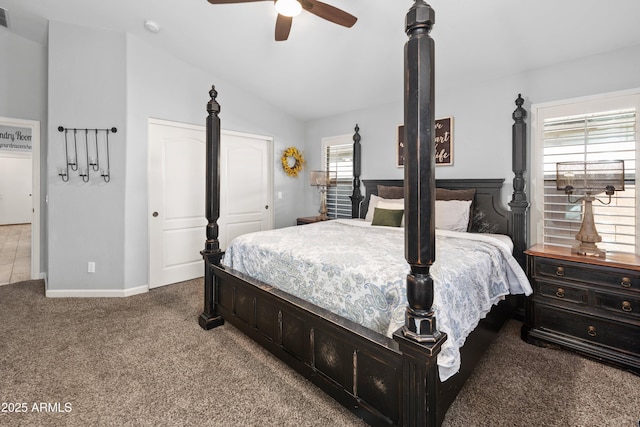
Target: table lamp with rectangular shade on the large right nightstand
589,178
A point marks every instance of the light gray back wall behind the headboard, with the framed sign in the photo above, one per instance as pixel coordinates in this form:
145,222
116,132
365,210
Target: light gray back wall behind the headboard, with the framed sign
482,116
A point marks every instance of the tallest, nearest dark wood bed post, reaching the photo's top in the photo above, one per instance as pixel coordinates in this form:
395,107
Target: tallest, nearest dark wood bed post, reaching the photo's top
419,339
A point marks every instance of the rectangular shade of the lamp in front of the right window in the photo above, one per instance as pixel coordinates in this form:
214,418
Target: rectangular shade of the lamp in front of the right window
590,177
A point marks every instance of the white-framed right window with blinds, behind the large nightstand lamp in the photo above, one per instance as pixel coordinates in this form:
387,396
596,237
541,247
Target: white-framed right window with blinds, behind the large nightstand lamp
597,129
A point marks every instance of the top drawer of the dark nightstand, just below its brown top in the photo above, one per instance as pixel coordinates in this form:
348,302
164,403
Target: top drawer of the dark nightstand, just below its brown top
565,270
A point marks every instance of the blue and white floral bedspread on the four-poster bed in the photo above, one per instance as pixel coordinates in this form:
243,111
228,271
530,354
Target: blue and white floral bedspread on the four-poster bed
358,271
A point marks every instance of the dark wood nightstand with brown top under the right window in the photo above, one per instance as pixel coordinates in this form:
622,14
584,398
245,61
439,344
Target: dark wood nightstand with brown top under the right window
586,304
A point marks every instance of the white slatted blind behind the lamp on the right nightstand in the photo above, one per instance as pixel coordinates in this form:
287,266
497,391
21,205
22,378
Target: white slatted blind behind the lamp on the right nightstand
604,135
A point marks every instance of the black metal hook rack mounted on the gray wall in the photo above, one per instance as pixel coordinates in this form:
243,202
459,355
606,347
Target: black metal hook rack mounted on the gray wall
96,142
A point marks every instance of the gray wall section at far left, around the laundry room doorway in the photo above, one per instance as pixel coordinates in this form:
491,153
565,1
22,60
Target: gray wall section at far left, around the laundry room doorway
23,95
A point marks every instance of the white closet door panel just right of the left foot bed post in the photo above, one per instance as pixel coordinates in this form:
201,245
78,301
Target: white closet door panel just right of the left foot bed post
246,173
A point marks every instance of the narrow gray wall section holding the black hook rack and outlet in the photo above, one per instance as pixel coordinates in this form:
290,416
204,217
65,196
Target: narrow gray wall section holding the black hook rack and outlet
87,89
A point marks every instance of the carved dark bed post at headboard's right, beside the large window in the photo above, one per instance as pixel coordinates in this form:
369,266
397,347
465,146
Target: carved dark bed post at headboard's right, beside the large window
518,201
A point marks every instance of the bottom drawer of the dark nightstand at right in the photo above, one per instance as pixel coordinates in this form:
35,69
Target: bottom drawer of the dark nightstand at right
621,336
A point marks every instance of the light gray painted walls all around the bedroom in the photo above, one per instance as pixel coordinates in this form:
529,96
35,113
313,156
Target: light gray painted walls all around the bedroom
99,78
